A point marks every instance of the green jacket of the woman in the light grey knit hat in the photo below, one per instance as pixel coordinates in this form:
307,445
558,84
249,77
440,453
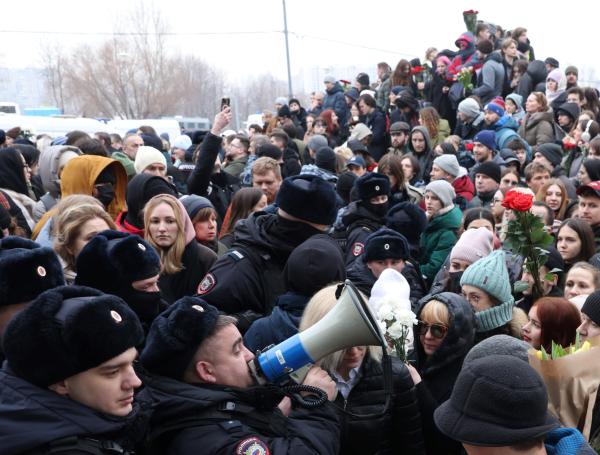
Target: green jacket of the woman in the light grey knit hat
437,241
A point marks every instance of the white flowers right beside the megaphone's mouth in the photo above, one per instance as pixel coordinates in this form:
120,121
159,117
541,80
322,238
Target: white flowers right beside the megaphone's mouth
396,322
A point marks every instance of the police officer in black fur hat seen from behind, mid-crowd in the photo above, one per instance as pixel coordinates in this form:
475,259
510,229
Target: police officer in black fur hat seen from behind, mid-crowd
248,279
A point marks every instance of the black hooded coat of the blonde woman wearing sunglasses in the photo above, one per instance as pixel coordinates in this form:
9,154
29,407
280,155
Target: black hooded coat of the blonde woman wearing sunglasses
439,371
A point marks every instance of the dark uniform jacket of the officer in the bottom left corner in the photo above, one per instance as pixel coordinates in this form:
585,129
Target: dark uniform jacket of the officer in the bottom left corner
32,417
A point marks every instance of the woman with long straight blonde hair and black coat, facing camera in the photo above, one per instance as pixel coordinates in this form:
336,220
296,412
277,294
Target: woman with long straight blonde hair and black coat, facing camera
184,262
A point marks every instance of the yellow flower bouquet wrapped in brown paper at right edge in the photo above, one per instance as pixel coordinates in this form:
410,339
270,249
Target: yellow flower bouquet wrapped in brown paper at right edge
571,378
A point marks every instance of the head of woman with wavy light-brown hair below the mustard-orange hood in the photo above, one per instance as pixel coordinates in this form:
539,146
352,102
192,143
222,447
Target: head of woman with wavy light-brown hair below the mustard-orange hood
78,218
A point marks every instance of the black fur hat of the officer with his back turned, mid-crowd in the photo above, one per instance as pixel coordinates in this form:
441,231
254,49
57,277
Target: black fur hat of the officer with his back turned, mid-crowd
309,198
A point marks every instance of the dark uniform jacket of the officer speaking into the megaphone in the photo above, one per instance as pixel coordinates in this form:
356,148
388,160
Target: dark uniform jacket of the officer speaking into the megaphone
177,404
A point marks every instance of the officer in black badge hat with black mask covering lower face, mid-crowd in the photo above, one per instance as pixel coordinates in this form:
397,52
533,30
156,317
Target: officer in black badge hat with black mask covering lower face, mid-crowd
363,216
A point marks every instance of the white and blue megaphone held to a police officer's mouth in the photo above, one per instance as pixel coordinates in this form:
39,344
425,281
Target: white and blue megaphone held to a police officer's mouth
349,323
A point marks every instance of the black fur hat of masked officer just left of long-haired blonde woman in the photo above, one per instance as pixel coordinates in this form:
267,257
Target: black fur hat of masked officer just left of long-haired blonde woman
112,260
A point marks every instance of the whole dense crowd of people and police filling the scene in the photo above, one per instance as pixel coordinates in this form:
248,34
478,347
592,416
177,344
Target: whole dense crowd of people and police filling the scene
140,276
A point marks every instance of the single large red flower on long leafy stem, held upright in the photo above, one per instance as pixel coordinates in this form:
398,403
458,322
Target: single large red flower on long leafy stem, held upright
526,236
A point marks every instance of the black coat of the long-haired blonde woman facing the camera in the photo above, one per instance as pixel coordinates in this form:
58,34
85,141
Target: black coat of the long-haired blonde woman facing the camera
197,260
